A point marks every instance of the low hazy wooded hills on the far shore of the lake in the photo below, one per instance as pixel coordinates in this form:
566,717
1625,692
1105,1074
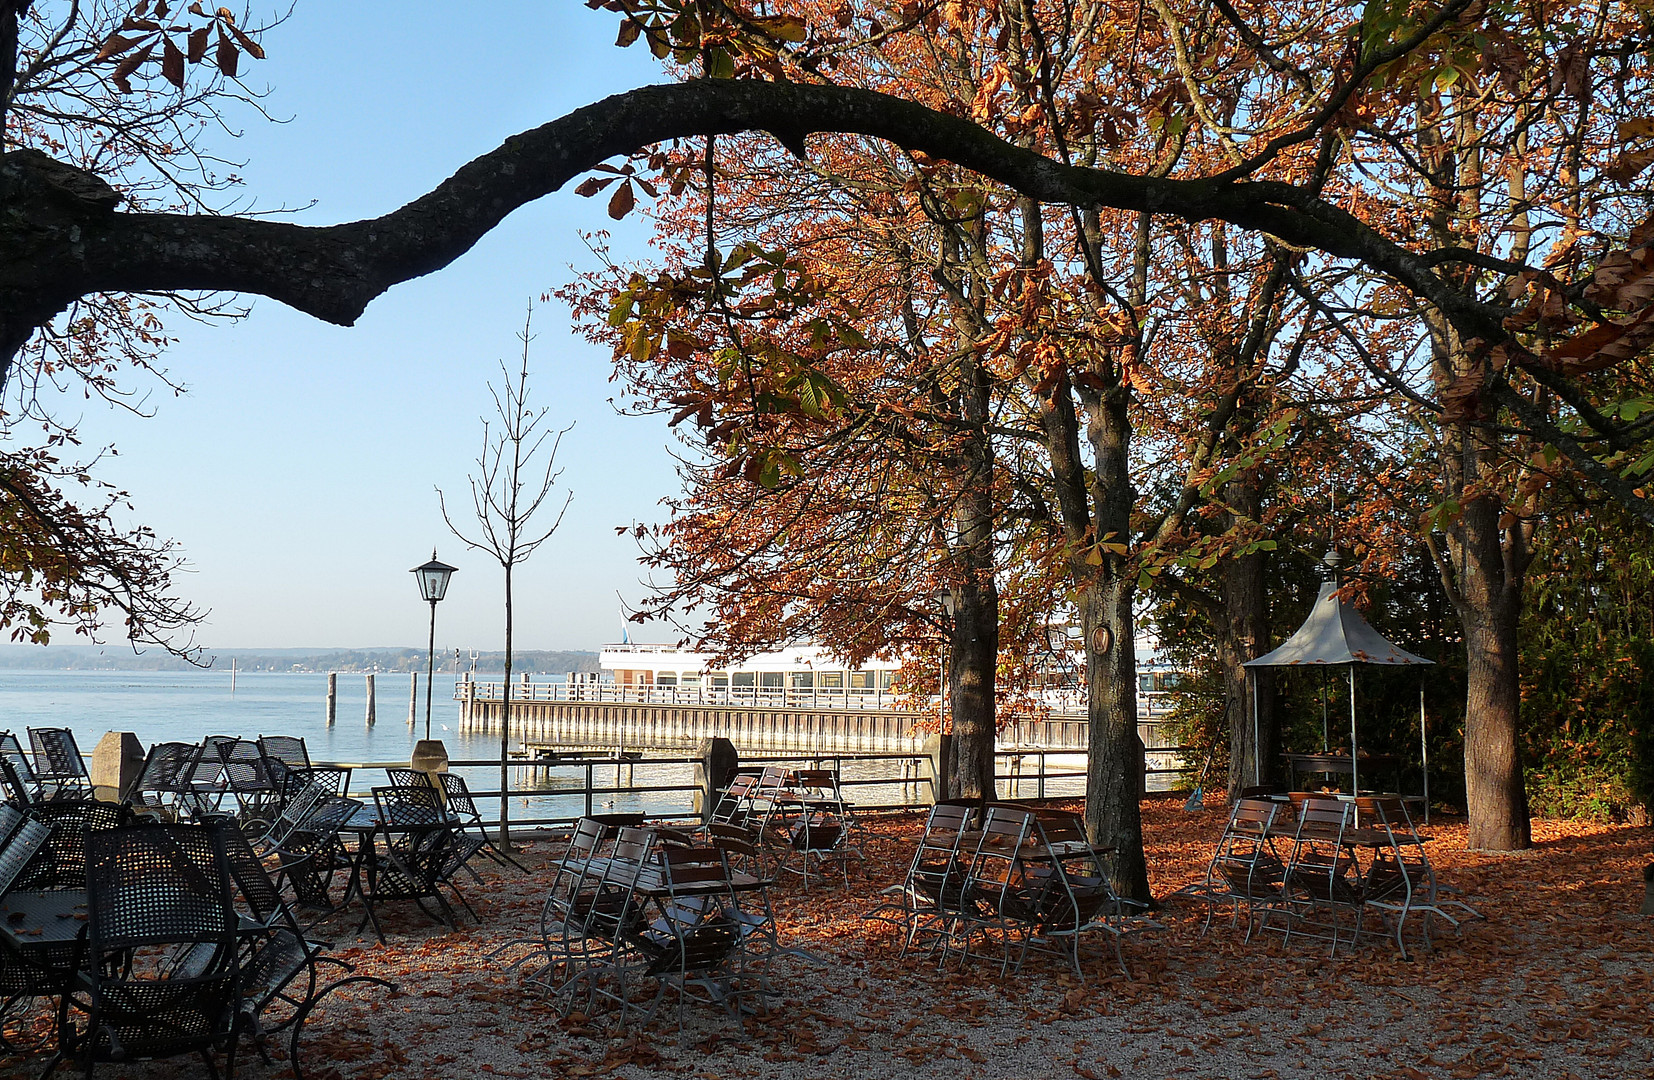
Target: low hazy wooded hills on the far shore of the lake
120,659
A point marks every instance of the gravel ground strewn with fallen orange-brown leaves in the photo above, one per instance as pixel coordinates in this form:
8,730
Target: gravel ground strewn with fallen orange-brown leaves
1557,983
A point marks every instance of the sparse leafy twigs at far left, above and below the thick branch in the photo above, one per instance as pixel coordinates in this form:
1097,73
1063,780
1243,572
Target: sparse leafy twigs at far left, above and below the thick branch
125,92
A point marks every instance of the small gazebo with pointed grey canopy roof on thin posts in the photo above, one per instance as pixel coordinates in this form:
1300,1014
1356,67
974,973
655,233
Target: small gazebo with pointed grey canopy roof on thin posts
1337,636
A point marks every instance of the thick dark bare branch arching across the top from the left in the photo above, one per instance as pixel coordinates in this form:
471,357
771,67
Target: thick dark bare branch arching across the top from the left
69,239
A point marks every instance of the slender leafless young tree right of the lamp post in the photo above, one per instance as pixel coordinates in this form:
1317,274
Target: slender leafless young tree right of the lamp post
512,485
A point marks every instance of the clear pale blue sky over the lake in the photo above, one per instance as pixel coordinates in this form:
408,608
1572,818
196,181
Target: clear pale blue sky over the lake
299,472
